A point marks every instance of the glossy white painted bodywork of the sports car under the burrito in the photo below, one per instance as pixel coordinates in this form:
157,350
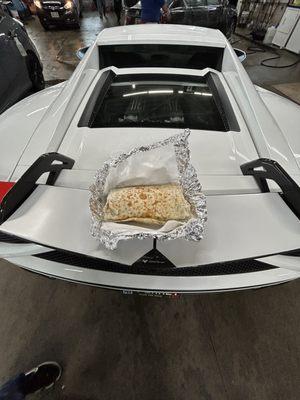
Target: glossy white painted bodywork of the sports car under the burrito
243,222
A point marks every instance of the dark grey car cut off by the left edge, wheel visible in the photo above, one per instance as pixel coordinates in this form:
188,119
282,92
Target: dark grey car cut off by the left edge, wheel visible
20,66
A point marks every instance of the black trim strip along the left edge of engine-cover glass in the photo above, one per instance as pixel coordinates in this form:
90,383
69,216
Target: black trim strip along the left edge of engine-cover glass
95,101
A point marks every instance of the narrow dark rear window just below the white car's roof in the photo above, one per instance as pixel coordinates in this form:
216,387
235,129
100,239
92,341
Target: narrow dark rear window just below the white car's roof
160,55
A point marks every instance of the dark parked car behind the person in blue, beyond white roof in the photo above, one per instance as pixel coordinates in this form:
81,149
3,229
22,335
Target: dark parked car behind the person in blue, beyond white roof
216,14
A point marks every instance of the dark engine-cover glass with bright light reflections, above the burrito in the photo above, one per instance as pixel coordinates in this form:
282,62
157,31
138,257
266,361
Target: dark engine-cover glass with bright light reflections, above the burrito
161,103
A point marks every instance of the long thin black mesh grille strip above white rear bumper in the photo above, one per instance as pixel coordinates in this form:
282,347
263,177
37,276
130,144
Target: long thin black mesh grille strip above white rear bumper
138,268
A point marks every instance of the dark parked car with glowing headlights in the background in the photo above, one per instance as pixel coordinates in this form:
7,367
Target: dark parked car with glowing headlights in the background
58,12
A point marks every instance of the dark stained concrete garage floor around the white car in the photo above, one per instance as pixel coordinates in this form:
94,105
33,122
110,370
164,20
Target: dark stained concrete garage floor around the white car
228,346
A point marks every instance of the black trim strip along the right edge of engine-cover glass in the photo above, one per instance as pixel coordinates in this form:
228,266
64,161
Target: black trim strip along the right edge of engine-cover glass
223,102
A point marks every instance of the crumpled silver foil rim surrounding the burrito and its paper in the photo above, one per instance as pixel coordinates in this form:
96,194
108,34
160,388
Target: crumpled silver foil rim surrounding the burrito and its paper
190,230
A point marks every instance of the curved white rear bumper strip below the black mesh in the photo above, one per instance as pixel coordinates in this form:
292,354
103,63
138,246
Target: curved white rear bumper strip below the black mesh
157,284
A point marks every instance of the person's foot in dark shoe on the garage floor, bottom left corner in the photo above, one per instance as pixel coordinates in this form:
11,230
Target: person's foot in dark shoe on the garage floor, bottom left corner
39,378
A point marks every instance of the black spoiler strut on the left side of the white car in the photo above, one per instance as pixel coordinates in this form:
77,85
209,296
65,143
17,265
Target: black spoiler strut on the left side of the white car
52,163
